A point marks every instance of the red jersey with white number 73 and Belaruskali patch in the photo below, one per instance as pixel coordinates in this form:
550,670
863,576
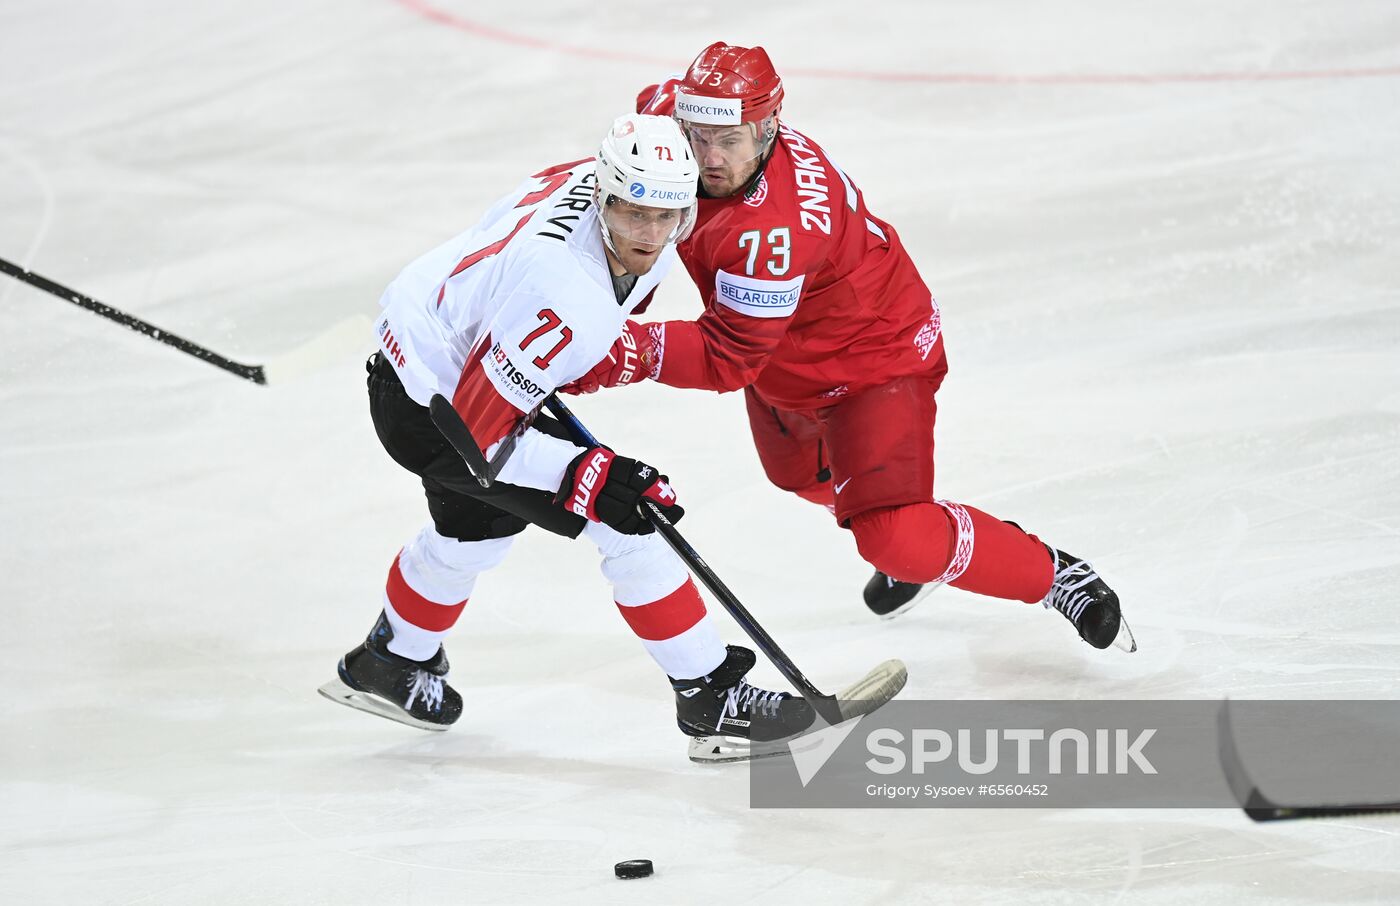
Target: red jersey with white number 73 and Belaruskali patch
808,296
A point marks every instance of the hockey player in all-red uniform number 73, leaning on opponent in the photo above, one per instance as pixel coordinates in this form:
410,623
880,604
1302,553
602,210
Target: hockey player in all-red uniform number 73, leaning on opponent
814,309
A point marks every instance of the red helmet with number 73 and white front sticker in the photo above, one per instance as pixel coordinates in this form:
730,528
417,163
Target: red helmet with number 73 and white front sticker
729,86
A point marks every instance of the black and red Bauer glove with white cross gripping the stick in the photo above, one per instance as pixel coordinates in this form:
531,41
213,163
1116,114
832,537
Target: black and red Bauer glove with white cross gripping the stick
605,488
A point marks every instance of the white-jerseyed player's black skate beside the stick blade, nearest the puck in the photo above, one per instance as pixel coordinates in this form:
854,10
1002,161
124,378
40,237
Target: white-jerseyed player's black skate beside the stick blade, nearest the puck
722,711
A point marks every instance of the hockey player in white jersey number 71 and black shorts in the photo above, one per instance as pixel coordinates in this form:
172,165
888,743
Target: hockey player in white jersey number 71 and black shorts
528,300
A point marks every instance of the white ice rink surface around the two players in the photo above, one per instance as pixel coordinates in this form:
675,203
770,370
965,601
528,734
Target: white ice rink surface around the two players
1171,300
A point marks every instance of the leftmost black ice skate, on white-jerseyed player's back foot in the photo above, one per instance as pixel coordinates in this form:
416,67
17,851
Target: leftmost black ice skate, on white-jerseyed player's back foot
374,680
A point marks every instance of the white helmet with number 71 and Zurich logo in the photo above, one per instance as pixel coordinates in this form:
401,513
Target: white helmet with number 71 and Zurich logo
646,163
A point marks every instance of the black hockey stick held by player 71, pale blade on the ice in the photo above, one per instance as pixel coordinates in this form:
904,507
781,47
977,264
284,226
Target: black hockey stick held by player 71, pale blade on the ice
873,691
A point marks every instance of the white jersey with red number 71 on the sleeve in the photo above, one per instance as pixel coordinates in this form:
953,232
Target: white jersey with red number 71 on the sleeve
500,316
